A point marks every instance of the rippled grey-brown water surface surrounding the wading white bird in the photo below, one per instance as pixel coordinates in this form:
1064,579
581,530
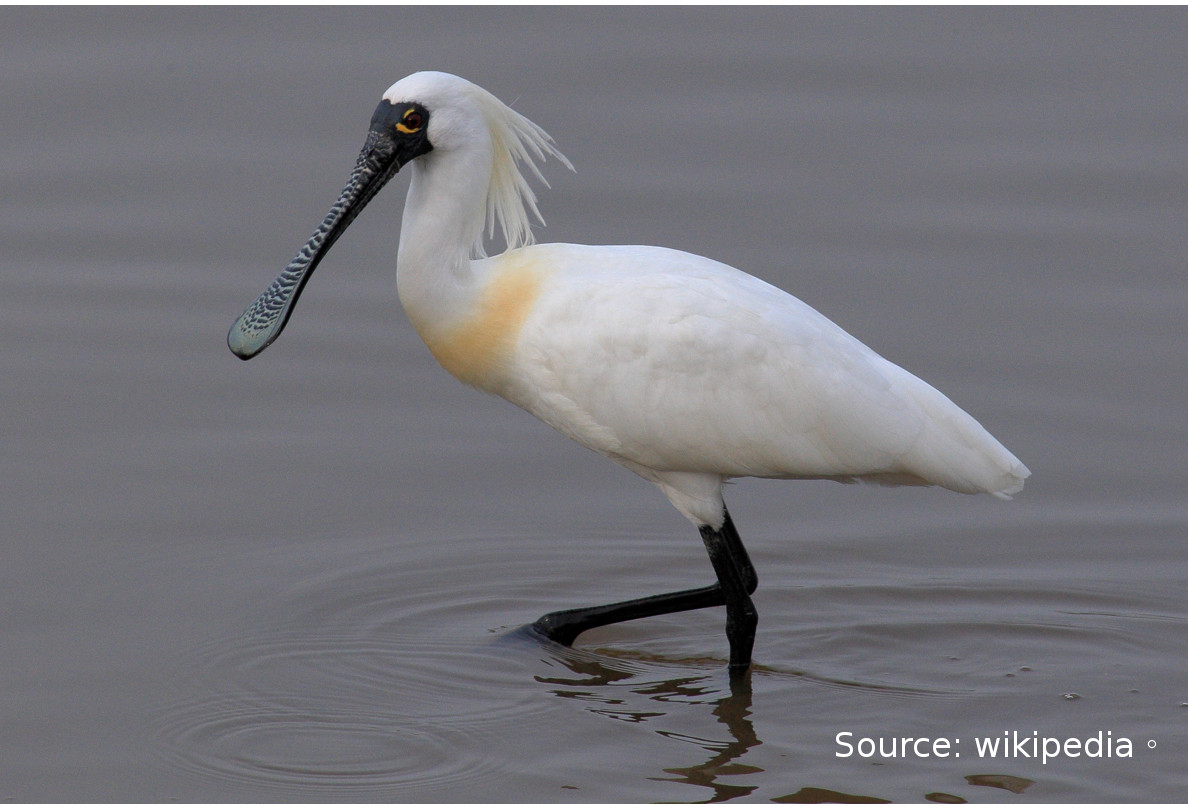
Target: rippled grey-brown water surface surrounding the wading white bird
304,578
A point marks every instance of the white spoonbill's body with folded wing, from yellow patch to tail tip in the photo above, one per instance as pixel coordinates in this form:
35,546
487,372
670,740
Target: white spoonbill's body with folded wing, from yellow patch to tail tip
671,362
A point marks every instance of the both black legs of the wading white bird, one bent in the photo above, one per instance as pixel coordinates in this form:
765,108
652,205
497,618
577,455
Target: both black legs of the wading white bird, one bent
737,581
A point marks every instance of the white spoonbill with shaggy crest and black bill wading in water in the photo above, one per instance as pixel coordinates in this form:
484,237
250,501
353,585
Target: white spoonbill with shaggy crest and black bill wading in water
684,370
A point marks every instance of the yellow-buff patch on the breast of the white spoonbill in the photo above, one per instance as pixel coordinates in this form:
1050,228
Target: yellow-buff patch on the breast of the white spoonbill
476,350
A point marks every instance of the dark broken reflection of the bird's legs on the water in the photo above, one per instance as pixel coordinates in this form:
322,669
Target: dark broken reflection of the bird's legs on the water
732,712
